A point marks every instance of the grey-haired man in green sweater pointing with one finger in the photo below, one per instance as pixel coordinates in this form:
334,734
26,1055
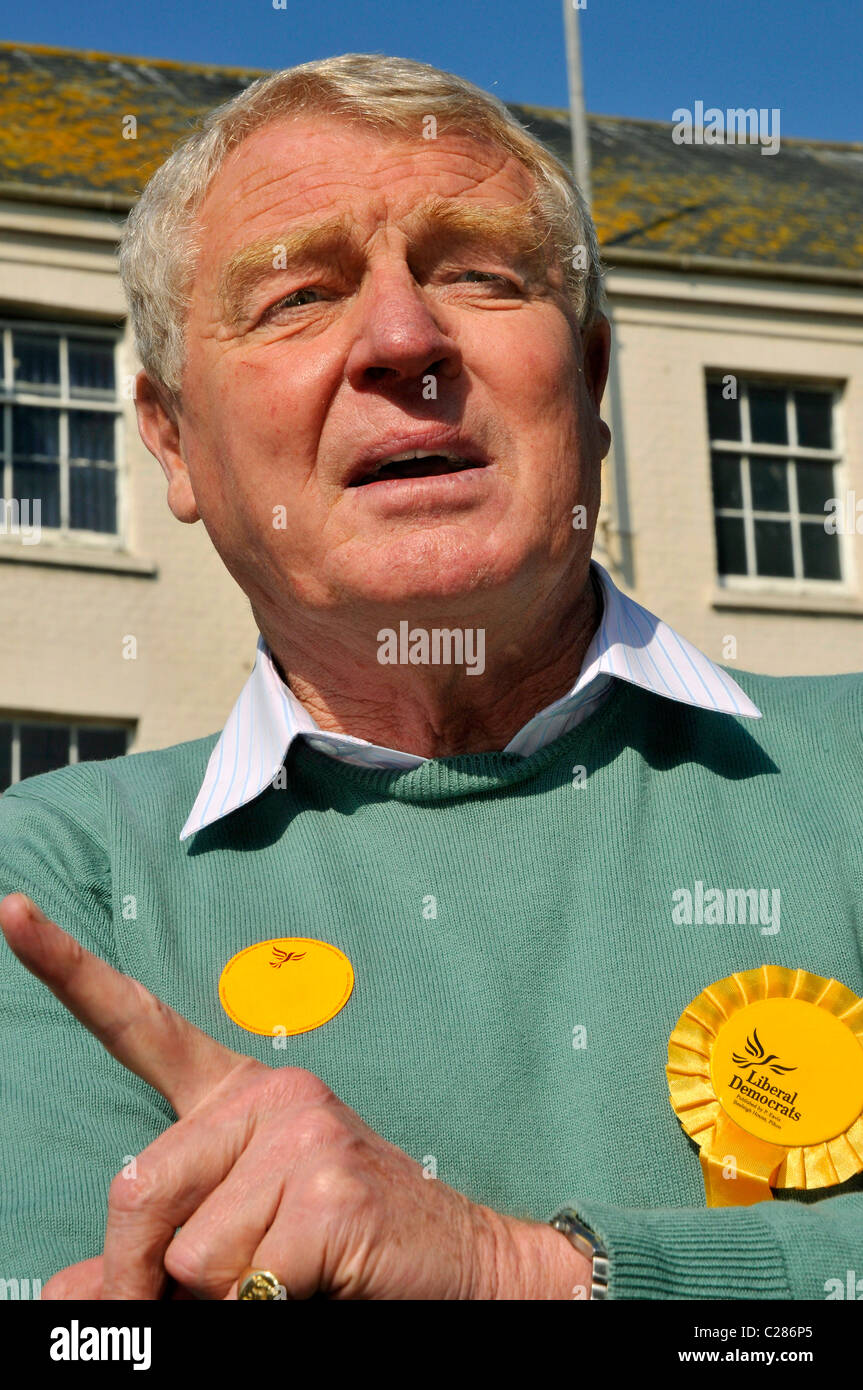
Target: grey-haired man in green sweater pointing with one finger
361,996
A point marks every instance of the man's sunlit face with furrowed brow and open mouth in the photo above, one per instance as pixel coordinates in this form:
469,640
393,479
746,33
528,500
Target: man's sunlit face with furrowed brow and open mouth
408,326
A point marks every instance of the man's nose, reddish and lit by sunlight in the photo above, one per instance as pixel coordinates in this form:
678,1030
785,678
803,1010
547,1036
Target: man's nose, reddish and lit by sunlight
400,340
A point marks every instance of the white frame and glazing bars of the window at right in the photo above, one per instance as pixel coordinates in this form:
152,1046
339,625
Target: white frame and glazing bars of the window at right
746,448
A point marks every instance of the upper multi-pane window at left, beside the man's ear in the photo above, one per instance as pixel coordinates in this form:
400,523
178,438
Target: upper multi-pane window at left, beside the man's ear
60,423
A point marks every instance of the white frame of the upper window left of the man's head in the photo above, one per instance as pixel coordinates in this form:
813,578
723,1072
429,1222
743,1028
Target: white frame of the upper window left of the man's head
63,402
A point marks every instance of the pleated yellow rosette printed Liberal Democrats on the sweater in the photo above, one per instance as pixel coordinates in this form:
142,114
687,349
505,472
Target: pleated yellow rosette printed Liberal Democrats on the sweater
766,1075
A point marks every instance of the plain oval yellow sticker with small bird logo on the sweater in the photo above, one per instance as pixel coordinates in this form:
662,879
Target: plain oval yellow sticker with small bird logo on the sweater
291,985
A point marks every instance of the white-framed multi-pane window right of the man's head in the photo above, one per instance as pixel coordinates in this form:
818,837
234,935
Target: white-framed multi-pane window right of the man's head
773,465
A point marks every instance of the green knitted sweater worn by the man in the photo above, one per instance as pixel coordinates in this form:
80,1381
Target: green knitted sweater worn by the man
555,914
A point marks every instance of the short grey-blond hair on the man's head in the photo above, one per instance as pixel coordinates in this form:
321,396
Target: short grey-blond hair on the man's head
159,247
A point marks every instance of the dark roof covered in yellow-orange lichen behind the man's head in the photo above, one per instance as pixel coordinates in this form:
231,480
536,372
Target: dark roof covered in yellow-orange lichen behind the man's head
62,127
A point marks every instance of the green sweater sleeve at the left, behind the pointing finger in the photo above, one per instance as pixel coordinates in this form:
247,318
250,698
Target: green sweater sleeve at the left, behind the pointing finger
70,1114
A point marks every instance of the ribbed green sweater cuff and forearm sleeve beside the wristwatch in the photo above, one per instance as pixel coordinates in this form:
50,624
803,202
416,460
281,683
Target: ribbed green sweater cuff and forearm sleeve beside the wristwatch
779,1249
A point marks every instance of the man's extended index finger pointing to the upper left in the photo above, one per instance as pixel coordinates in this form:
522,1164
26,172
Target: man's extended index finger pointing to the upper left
131,1024
